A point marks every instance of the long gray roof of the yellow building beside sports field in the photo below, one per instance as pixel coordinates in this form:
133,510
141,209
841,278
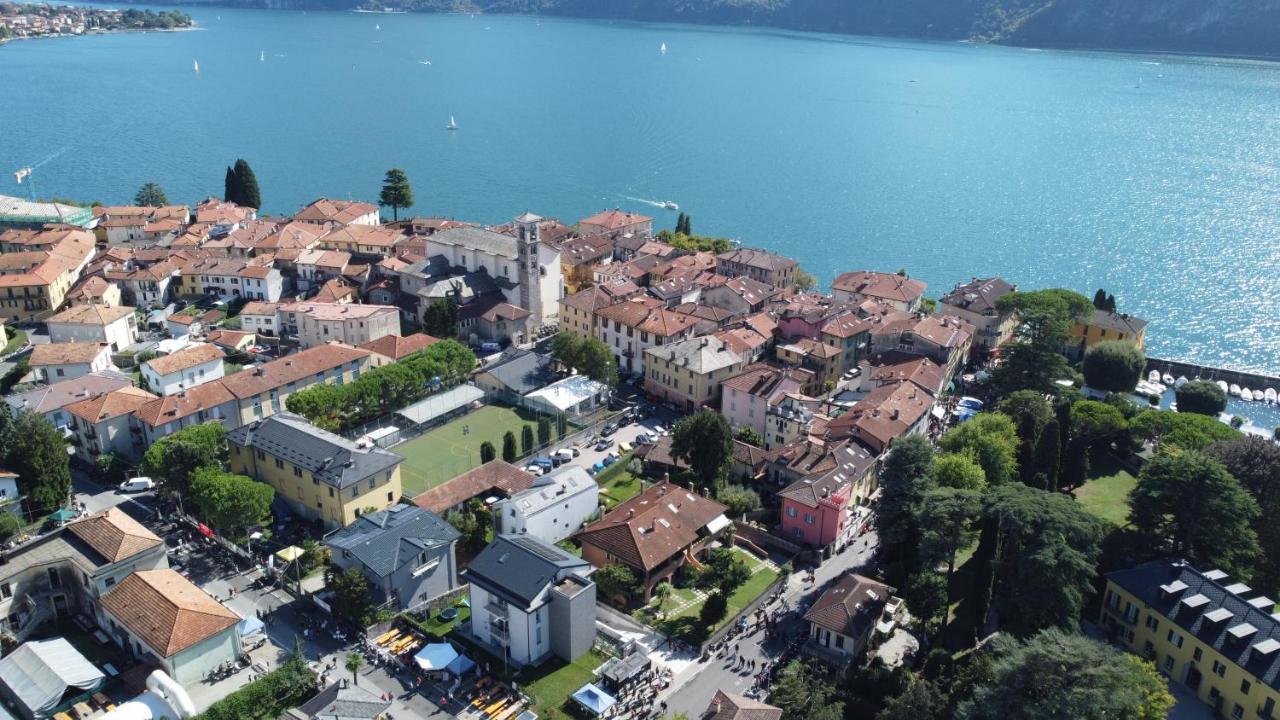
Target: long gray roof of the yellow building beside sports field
333,459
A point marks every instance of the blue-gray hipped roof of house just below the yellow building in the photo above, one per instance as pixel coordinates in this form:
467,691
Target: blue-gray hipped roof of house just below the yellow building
388,540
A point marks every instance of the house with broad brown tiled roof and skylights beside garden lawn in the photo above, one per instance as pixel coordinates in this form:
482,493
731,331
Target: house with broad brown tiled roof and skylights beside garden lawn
655,534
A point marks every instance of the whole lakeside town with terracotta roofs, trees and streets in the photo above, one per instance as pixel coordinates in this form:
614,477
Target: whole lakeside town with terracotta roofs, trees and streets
339,466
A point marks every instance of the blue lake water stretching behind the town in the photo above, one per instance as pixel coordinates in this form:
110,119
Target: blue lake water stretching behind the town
1154,177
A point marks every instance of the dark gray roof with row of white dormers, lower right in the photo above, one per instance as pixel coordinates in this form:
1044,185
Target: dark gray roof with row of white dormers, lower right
1165,585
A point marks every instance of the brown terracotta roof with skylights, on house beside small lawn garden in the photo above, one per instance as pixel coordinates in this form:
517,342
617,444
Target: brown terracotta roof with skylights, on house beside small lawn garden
646,531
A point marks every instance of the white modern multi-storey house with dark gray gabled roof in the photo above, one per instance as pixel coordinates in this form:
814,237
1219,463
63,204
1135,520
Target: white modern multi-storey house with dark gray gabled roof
532,600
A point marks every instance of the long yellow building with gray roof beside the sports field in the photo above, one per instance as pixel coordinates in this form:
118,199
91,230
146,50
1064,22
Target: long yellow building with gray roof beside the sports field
322,476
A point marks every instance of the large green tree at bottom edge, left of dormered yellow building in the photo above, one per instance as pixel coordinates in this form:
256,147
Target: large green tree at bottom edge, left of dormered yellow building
1058,676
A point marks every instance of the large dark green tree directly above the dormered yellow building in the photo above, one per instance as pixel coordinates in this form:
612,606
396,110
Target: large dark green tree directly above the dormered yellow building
1187,505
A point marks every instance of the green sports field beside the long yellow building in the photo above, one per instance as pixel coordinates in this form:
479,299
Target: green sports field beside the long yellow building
445,453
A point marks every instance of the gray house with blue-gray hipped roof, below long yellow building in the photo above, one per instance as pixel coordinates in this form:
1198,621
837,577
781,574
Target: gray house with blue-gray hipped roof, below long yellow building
406,554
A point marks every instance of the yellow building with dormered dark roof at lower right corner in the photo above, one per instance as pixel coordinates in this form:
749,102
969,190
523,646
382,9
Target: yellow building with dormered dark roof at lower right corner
1218,639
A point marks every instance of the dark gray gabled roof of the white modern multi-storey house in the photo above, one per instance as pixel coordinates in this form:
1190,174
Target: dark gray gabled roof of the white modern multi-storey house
519,568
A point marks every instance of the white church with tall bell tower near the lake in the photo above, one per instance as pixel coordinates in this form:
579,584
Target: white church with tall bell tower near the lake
527,270
